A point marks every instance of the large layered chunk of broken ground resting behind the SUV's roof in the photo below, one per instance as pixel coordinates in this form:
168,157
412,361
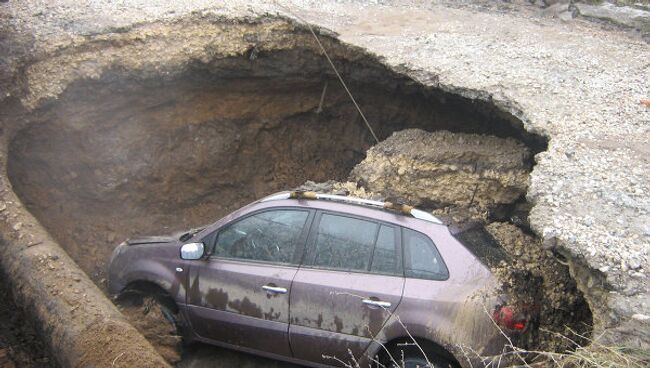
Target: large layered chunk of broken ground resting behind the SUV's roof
440,169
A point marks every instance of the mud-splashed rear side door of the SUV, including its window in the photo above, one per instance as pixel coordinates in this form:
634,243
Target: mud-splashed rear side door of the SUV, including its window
350,283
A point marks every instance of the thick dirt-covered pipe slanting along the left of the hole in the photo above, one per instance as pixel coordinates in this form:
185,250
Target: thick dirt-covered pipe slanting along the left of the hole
68,308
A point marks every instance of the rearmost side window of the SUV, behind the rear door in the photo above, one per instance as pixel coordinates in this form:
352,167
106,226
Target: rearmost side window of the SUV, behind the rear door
421,258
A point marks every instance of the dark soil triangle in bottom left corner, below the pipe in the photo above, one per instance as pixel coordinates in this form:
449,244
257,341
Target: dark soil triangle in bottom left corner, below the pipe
21,345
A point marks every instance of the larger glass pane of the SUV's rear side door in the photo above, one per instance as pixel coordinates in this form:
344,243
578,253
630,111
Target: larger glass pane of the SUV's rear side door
343,243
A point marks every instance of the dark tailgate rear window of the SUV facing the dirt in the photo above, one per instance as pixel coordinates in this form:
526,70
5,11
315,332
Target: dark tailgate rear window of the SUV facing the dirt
482,245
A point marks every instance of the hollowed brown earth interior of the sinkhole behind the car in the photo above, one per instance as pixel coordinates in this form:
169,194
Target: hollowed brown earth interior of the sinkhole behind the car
126,155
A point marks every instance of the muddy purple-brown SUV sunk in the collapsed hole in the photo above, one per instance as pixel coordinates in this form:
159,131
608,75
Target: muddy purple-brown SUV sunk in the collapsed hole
320,279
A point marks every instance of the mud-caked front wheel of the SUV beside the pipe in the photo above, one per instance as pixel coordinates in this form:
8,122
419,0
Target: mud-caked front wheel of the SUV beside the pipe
156,317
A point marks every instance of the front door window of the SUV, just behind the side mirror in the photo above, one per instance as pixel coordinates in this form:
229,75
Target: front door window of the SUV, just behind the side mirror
270,236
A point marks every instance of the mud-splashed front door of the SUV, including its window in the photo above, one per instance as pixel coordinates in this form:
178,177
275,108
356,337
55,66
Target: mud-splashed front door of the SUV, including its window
240,295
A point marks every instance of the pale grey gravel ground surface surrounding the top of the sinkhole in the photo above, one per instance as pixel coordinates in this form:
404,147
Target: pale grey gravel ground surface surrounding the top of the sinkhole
576,83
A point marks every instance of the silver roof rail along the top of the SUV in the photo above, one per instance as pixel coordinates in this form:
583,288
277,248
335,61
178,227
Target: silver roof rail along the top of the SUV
399,207
